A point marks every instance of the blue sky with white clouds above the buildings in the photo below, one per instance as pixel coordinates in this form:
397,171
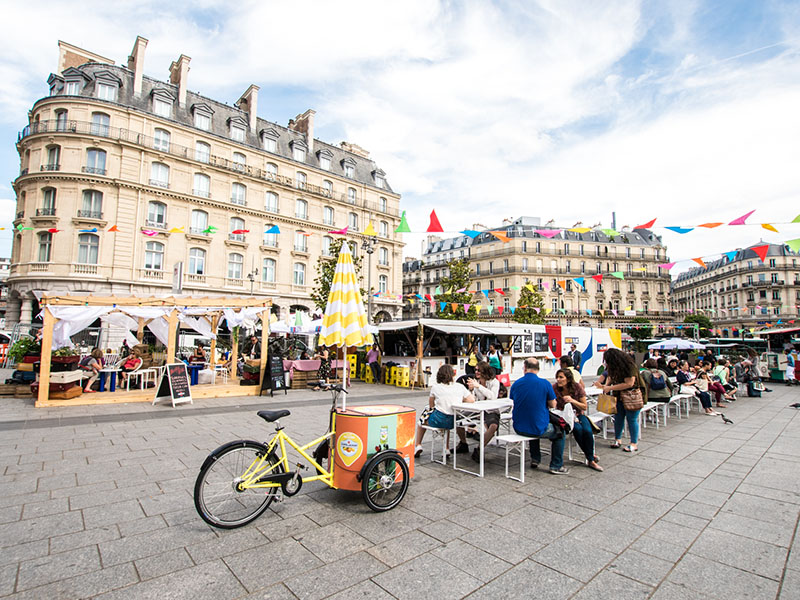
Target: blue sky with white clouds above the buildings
685,111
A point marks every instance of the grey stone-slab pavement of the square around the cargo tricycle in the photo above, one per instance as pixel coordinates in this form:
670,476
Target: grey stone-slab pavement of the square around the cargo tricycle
96,502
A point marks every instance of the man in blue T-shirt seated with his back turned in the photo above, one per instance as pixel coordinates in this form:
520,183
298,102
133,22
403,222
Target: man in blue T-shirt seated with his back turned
533,397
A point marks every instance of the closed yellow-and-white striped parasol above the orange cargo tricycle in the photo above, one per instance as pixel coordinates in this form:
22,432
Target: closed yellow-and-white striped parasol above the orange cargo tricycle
345,320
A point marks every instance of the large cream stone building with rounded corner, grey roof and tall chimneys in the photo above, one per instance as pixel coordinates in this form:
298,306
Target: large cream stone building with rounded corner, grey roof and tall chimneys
177,174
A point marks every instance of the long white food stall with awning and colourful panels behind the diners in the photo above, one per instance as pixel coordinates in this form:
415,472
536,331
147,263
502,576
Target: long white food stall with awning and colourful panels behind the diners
426,344
